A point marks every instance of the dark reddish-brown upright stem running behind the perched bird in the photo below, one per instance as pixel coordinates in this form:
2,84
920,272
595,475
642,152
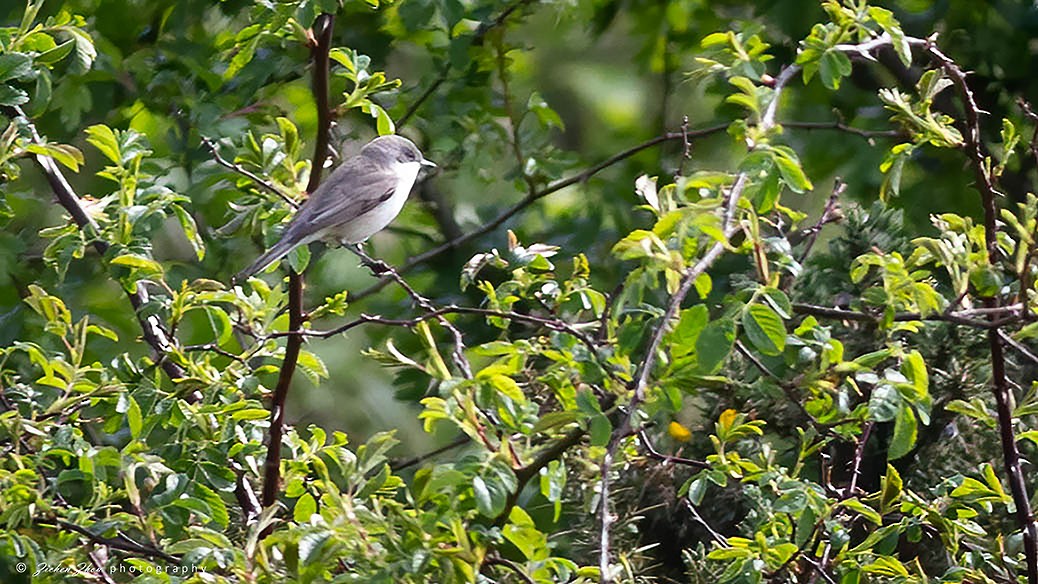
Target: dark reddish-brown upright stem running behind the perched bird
272,467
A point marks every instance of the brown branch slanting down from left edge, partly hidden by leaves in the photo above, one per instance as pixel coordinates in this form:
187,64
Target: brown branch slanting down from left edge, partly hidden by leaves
152,327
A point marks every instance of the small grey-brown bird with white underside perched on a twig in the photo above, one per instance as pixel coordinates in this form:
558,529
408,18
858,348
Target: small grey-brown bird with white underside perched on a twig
359,200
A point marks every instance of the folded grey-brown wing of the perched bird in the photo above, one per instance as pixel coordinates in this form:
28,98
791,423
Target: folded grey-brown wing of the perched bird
356,188
